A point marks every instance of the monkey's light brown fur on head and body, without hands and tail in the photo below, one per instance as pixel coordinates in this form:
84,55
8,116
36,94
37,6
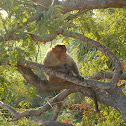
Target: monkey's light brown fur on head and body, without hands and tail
53,59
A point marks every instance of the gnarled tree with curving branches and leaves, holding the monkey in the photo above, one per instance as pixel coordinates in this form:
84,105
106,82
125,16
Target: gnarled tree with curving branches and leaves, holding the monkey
49,20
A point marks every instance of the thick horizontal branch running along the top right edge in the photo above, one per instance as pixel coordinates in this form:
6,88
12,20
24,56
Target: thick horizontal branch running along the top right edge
70,5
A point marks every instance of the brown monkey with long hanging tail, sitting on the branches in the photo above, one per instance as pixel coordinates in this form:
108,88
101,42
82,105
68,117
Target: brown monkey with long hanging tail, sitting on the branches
57,58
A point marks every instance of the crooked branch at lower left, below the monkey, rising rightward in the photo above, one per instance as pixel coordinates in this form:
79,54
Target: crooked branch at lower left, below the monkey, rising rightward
40,110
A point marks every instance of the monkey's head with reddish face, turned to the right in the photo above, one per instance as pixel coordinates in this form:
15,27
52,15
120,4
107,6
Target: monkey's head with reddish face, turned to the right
60,51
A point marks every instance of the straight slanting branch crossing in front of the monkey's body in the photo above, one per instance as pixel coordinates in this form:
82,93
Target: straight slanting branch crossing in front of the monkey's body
75,80
